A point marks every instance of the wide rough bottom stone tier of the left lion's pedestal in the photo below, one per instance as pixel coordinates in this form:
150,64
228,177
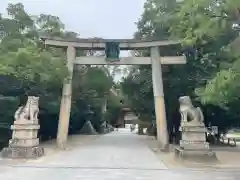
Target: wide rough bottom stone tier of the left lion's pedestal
22,152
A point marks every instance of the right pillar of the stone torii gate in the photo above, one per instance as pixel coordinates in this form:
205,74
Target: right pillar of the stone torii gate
162,133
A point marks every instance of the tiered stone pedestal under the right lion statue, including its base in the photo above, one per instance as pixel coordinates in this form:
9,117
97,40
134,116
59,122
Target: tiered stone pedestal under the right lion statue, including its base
193,145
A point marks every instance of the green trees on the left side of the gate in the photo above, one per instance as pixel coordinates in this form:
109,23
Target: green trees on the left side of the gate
29,68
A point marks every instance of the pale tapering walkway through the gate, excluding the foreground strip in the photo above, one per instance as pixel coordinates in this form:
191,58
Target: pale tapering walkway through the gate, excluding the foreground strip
115,150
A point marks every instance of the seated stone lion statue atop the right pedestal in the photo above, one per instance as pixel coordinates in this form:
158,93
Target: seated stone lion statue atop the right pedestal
189,113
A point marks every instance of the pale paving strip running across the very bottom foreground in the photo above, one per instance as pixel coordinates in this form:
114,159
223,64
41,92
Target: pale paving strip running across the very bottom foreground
112,174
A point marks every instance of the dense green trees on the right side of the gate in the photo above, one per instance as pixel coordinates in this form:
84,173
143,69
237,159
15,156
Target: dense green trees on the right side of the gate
209,31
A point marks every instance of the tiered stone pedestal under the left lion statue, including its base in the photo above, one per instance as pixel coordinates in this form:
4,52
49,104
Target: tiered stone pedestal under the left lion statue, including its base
24,142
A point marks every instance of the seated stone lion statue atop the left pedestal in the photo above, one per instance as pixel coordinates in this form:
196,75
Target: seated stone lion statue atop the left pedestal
29,111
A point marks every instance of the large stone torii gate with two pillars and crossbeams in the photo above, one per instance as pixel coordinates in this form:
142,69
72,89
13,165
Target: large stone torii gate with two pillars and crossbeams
119,44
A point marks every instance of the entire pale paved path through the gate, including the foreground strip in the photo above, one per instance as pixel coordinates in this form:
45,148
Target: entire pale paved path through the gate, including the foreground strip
116,156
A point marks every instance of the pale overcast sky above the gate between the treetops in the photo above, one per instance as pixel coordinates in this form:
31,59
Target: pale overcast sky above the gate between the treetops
90,18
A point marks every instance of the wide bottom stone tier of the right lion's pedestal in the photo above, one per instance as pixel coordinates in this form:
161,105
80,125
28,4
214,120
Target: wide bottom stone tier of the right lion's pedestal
200,155
